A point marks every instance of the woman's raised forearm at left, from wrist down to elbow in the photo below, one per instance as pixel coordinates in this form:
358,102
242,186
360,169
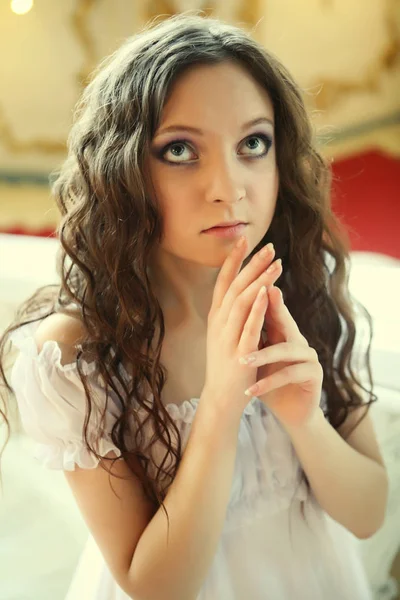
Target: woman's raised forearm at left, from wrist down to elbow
196,503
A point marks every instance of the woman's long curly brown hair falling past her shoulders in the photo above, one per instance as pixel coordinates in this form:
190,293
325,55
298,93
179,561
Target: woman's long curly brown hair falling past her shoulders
109,227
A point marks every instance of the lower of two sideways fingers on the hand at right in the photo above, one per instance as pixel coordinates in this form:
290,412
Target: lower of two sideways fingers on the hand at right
299,373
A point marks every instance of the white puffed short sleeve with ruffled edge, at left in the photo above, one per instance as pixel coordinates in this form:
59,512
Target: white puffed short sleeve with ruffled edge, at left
52,404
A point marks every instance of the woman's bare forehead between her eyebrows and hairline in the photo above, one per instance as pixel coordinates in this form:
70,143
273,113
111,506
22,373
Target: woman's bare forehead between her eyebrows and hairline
224,93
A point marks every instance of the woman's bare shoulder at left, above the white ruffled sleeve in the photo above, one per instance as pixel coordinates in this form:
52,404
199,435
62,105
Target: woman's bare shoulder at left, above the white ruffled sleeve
67,331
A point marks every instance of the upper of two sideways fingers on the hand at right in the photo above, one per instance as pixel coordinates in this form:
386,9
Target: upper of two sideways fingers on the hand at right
289,352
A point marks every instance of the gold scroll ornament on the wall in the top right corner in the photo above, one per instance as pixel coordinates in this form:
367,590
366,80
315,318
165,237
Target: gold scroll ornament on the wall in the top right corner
334,91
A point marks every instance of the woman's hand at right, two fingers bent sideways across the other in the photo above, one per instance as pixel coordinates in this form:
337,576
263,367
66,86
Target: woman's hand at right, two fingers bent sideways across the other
289,375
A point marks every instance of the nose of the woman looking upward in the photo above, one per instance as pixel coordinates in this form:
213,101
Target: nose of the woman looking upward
222,180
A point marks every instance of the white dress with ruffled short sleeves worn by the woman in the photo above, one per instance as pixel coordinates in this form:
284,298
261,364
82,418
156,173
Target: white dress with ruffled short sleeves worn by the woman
267,551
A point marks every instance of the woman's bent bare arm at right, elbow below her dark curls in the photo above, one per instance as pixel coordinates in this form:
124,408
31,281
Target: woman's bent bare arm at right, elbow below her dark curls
350,484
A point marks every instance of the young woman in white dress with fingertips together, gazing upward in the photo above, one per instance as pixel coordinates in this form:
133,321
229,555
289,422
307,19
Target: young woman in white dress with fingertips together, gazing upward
198,475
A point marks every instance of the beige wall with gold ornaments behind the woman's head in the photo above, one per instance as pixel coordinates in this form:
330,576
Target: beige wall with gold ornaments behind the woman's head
344,53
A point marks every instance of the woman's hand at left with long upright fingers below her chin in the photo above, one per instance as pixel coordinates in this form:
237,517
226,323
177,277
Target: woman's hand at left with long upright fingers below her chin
235,322
